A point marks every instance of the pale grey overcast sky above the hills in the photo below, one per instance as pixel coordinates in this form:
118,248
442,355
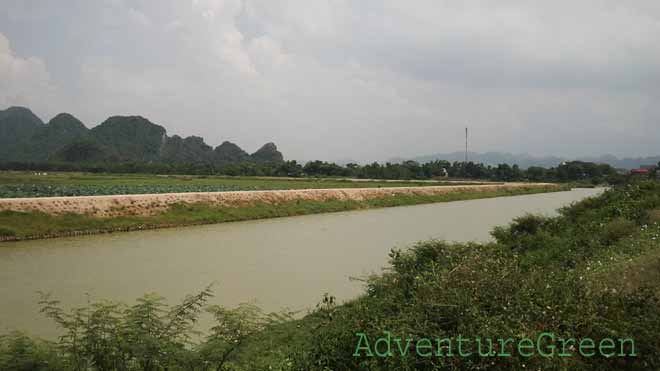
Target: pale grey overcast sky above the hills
348,80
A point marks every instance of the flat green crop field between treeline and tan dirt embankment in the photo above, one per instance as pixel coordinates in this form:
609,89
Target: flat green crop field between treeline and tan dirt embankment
28,184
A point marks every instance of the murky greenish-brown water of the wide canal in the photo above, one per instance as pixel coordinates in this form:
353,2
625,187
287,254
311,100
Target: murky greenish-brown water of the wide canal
279,263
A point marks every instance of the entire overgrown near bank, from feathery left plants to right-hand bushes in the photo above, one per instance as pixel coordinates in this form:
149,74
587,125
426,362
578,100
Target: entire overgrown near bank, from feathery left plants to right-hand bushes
589,274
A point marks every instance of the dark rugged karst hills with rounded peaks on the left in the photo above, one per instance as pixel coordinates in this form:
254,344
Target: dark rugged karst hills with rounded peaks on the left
24,137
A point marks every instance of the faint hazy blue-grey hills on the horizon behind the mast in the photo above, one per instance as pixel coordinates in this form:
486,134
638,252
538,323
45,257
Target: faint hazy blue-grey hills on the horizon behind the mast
526,160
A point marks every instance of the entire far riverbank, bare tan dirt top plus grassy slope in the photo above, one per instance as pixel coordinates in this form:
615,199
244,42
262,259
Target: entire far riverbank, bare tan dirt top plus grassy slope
39,218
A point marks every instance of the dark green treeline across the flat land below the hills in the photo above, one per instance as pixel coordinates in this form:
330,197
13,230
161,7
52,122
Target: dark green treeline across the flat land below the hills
567,172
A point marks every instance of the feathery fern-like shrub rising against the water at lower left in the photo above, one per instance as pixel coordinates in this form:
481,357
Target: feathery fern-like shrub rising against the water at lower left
110,336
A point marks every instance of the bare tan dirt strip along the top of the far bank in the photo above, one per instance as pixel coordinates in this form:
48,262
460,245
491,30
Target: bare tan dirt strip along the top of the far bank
149,204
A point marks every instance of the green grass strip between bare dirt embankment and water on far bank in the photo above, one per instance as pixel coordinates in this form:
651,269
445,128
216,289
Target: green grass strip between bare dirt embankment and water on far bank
29,225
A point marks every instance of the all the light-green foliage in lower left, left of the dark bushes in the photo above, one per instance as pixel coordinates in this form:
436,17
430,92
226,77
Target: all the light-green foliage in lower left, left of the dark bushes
149,335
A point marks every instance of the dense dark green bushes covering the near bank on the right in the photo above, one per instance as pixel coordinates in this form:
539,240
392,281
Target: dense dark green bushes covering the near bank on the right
592,273
